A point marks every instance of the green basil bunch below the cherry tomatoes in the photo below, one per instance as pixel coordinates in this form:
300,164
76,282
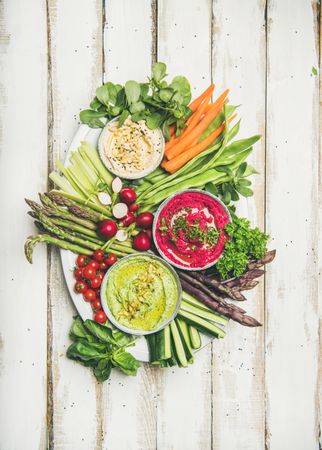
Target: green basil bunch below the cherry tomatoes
101,347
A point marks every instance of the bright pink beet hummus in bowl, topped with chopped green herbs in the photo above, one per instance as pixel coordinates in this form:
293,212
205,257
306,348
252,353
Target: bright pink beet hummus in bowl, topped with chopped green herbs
189,229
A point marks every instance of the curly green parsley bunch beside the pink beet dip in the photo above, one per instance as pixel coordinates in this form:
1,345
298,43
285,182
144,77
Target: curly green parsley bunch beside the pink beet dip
245,243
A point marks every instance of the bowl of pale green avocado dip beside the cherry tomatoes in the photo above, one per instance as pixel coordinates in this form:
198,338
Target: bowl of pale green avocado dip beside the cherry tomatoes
141,292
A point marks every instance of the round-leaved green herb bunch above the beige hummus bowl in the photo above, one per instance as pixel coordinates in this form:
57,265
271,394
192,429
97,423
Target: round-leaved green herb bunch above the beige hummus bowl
158,102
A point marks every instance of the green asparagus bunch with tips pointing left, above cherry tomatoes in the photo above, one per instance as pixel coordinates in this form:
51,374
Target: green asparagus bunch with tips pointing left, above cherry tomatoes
68,225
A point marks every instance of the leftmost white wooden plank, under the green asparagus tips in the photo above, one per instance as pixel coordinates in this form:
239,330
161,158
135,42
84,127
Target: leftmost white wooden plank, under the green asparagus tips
23,172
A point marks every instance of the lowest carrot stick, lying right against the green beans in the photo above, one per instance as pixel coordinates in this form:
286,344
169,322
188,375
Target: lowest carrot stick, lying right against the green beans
177,162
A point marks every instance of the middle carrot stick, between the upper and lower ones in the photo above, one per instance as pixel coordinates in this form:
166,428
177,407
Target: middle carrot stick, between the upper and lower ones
188,139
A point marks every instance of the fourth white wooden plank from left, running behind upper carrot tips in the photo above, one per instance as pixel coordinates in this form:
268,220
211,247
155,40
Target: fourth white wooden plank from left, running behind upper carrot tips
184,406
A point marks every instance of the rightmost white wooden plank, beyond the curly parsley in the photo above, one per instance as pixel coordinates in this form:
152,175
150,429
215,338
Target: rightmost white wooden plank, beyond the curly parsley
292,219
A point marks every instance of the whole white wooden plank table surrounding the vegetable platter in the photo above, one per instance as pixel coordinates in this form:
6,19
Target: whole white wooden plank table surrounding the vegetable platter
256,390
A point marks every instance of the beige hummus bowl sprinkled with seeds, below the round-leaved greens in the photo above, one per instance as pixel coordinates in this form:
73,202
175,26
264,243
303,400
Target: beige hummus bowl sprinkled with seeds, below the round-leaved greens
131,150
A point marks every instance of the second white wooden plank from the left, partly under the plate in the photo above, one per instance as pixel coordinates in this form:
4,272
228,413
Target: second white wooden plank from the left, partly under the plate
75,34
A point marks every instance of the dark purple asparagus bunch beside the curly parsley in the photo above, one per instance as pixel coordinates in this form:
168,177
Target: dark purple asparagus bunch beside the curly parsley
214,293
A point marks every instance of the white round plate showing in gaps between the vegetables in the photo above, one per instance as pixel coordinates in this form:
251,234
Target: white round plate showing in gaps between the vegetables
140,351
